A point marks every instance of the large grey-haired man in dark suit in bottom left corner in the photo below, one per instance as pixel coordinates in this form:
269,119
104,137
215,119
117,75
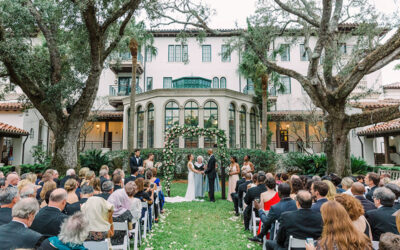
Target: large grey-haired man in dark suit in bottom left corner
16,233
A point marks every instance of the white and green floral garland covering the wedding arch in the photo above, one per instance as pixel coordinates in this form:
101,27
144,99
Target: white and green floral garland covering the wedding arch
190,131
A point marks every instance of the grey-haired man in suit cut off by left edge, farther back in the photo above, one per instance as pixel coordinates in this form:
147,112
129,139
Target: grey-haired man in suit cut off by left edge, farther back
8,198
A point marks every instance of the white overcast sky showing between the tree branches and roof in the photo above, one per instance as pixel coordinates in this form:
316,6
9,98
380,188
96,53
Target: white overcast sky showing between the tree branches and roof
230,13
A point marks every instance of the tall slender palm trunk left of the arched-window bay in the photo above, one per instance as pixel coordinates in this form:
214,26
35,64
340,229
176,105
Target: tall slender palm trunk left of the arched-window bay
133,46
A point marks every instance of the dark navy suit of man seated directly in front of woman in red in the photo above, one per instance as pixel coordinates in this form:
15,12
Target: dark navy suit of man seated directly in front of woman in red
285,205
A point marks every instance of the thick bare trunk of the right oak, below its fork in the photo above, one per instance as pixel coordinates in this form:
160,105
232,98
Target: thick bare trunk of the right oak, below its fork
337,148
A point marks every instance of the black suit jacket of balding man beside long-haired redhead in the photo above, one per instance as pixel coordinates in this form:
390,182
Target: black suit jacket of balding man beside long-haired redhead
301,224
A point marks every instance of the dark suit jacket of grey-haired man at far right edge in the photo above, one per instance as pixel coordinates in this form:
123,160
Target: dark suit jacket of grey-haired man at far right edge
382,221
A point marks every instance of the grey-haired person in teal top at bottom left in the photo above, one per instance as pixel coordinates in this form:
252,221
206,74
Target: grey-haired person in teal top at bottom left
73,233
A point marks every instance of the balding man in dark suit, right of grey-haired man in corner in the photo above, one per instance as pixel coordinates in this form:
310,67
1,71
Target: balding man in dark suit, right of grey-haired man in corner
49,219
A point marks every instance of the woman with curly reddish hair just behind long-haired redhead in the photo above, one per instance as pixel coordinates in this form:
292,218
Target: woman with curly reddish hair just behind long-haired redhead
355,212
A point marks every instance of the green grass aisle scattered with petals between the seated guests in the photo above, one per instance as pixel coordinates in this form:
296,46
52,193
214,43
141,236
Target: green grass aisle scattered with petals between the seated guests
199,225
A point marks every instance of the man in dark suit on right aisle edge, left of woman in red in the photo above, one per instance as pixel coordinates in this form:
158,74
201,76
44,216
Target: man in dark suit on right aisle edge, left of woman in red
252,194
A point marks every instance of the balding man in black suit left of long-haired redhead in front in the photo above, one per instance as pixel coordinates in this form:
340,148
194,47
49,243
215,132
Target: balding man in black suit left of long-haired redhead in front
301,224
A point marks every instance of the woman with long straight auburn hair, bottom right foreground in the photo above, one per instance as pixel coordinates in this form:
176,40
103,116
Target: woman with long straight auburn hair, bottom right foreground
338,230
